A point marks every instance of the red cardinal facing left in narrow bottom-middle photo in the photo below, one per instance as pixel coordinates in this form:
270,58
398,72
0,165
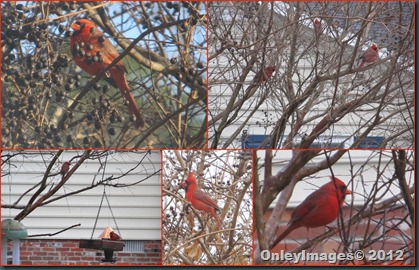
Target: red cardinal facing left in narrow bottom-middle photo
199,199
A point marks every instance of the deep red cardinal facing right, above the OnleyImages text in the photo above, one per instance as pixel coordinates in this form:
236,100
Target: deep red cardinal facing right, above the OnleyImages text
319,209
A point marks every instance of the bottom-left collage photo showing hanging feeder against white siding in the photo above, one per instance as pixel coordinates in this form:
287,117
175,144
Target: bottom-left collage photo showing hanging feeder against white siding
81,208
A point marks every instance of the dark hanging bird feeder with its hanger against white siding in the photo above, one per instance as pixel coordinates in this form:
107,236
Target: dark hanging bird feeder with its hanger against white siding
104,243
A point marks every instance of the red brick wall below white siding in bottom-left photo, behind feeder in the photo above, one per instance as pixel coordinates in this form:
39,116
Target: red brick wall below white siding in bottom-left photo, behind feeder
67,252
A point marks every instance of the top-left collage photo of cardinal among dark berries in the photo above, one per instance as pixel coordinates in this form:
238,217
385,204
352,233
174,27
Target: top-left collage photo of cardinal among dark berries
117,74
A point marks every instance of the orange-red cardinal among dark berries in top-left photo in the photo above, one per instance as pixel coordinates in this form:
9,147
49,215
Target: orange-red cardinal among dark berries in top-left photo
93,52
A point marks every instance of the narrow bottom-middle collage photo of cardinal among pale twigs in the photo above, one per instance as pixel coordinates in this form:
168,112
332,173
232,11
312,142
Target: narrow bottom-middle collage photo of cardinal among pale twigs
207,207
